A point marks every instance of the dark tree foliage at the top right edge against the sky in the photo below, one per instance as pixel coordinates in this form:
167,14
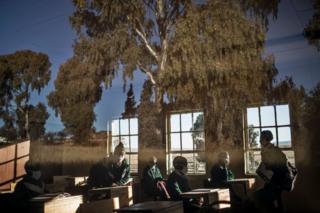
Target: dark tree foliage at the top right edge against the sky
312,30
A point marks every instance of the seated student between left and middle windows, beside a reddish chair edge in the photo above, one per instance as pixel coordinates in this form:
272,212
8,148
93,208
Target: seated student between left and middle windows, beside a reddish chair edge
152,180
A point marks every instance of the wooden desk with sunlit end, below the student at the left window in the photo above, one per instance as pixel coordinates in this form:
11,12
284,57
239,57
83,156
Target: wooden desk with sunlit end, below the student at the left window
123,192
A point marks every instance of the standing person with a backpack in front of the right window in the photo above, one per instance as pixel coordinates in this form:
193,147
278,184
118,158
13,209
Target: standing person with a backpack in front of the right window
268,199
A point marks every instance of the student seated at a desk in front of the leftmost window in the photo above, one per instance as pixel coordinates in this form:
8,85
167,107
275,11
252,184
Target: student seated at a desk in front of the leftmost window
111,171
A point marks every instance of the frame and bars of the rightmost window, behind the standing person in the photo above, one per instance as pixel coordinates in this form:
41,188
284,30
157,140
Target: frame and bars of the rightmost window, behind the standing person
246,127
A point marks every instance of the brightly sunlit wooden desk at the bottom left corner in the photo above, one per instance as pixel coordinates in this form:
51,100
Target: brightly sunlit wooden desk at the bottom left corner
52,203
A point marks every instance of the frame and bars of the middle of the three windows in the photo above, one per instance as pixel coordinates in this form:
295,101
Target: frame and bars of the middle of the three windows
181,152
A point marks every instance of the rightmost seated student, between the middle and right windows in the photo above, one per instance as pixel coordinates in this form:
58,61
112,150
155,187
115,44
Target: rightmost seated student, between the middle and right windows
220,173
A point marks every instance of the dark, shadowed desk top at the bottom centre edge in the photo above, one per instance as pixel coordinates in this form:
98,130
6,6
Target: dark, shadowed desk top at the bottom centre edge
155,206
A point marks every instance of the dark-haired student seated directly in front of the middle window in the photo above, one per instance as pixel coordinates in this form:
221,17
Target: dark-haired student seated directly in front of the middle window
177,183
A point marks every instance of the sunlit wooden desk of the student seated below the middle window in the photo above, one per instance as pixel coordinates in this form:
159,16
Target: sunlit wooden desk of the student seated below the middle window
210,196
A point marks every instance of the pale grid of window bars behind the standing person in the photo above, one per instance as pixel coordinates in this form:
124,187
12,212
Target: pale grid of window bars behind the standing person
248,147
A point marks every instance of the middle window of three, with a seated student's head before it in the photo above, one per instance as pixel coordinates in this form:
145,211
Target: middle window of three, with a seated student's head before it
185,137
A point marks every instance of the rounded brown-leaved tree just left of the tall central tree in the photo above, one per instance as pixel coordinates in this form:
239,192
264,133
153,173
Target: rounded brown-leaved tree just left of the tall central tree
77,90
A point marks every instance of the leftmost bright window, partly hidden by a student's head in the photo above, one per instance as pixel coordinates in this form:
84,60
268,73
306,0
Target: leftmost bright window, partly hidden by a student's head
126,131
